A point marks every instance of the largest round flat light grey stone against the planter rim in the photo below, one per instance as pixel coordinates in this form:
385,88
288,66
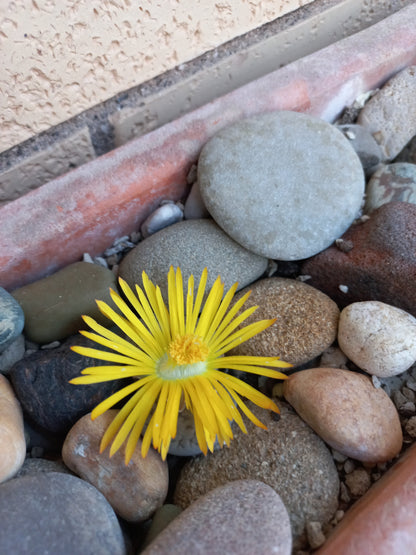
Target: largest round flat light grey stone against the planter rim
283,185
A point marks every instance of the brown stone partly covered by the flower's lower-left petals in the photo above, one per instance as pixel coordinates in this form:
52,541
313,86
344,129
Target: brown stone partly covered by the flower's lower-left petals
134,491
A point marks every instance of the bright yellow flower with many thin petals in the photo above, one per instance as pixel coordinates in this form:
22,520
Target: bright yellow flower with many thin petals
175,355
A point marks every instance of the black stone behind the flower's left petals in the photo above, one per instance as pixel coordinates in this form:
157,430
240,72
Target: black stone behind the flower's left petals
41,382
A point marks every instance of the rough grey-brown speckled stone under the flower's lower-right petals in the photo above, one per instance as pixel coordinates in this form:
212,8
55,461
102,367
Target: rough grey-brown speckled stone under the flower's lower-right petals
289,457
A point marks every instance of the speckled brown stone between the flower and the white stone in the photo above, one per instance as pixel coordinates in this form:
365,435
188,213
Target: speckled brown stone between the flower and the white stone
306,320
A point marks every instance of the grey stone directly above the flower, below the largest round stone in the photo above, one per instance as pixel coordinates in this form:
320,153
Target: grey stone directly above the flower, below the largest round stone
192,245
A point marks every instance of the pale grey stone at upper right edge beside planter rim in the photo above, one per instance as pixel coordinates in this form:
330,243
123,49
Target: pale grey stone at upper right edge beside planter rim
390,115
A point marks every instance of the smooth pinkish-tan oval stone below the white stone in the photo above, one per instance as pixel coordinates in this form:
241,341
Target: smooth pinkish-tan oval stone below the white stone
347,411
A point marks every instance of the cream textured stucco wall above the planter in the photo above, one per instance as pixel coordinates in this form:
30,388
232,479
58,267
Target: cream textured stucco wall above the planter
59,58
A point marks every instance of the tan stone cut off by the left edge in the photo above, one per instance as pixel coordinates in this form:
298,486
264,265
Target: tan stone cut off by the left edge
12,438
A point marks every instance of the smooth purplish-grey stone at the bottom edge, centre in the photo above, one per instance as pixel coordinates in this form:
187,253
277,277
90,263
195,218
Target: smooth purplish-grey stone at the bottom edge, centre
238,517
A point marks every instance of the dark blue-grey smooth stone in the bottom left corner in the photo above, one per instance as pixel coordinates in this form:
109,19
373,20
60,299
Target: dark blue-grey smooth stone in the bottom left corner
57,513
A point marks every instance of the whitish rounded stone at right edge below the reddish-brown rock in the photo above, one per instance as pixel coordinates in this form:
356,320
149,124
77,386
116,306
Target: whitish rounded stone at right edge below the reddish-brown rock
378,338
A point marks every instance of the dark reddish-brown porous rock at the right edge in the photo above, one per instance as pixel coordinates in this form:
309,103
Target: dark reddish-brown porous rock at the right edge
381,266
